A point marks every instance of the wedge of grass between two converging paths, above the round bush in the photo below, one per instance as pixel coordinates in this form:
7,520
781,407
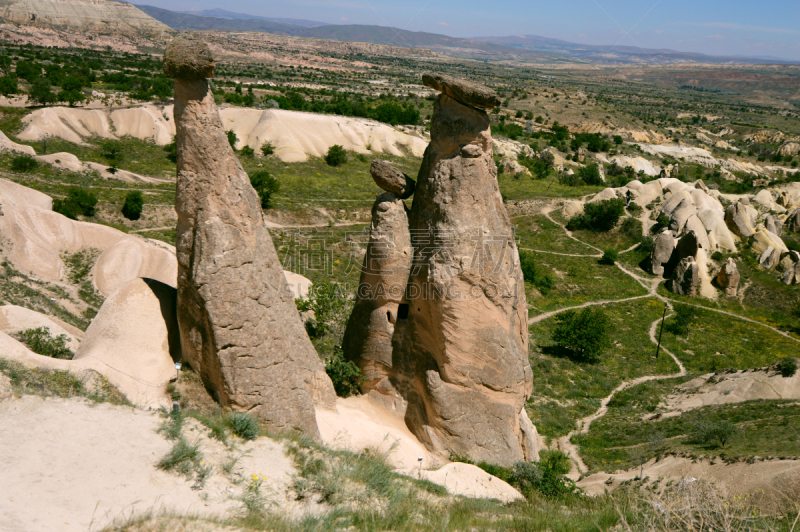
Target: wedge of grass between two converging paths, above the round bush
580,280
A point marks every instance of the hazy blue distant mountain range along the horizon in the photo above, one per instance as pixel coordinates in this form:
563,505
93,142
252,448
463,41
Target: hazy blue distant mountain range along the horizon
524,47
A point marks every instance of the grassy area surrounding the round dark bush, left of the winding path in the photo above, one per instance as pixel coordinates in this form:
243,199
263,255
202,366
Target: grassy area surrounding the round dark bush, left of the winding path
566,390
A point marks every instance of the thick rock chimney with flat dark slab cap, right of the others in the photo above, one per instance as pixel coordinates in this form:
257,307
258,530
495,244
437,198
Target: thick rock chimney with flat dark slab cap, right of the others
463,364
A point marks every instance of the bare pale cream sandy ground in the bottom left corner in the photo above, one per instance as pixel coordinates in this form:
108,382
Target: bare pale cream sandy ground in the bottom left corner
71,465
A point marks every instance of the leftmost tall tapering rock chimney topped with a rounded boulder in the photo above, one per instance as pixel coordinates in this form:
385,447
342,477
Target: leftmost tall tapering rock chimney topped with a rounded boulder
239,326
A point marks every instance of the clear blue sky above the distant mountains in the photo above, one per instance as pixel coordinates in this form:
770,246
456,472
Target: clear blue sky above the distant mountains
729,27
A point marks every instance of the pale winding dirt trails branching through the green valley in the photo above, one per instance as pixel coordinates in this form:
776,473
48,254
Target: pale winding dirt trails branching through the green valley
583,425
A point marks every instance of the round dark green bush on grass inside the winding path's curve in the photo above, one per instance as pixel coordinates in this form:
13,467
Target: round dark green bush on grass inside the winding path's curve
585,333
